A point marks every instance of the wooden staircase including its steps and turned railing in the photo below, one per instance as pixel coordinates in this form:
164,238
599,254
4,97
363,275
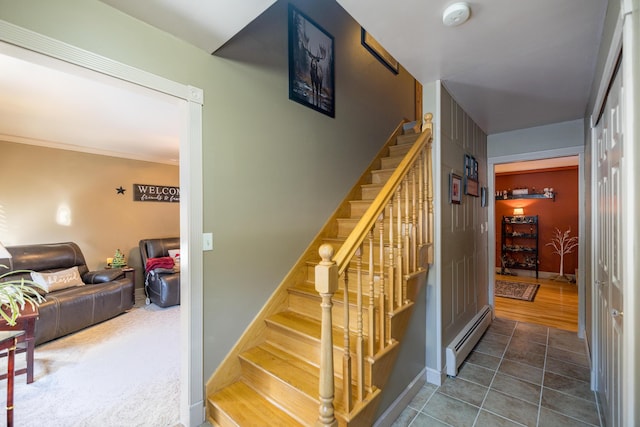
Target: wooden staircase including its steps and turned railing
279,368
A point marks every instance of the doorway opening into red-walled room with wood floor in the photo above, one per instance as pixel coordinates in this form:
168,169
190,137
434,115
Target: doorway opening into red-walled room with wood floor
556,303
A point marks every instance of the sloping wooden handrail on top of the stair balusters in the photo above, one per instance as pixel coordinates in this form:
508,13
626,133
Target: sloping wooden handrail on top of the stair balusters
348,249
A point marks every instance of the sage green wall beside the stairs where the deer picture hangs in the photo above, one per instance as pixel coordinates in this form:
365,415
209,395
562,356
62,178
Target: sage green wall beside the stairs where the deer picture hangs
273,170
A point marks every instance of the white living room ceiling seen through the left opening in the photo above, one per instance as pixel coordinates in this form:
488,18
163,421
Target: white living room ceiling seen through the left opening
52,103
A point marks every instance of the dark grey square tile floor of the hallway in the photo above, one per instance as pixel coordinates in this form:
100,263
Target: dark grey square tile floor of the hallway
519,374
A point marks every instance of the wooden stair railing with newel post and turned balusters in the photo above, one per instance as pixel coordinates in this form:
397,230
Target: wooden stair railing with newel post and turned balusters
331,268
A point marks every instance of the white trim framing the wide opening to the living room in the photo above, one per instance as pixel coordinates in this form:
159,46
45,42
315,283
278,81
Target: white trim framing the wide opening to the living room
190,111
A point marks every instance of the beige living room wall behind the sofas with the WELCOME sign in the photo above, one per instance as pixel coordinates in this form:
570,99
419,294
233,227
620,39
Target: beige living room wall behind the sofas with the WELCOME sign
40,182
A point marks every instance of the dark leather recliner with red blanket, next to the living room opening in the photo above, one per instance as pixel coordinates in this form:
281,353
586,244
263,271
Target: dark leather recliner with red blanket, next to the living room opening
162,286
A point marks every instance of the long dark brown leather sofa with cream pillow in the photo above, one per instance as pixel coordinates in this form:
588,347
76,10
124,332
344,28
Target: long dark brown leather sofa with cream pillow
104,295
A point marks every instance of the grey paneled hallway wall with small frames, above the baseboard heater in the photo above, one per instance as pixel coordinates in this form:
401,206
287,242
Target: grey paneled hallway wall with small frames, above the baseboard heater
463,239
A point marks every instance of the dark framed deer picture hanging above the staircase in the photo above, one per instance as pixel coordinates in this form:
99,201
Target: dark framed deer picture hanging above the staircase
311,64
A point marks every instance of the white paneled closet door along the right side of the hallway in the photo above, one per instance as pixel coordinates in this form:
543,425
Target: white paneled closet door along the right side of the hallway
608,138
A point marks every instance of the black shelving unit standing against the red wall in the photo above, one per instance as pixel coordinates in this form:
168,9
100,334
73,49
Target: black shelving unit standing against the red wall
520,243
